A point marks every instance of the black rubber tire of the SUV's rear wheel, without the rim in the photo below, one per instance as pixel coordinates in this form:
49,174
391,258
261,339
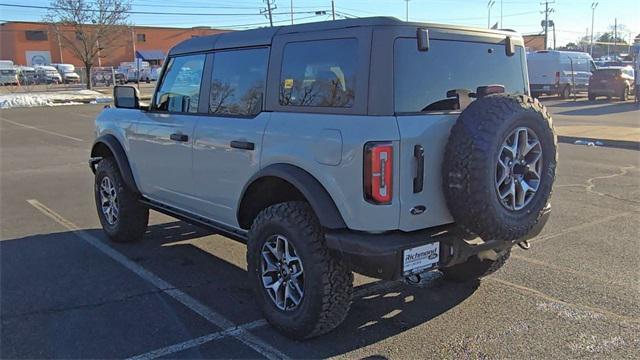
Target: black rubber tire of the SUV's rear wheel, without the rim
328,282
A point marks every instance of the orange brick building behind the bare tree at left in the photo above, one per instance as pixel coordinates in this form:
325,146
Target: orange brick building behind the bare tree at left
31,43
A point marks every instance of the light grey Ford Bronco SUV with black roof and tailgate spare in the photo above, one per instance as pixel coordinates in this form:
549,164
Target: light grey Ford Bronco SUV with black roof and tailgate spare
370,145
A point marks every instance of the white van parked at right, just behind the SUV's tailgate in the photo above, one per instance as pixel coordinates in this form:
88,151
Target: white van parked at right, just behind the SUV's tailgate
559,72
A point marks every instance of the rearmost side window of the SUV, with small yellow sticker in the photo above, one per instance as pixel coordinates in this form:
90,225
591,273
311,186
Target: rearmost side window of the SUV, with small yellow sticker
319,73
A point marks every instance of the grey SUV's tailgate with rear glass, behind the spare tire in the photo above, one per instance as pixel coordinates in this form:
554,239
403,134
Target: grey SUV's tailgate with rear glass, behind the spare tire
425,112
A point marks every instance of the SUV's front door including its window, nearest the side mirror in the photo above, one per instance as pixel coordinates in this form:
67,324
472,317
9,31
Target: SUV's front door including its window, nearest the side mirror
161,145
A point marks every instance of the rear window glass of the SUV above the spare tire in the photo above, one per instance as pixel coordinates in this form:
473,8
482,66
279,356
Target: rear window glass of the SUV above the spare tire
422,79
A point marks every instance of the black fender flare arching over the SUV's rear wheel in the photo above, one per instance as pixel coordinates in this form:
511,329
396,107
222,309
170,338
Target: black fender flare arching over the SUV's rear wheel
317,196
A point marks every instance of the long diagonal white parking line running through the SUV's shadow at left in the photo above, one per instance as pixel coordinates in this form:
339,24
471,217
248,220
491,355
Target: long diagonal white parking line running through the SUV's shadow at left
196,306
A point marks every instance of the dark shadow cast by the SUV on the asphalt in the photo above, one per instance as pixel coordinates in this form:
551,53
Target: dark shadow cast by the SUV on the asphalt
61,298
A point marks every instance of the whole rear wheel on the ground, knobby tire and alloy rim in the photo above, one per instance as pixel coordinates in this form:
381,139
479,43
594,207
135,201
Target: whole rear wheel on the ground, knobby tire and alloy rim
321,284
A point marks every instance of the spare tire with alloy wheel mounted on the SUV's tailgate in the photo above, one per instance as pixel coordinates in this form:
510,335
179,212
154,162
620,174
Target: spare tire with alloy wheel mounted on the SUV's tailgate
499,166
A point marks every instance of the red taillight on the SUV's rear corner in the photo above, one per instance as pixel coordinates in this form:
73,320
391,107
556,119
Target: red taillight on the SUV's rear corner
378,172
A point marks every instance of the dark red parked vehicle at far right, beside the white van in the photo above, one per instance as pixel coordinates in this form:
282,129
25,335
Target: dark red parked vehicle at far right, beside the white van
612,81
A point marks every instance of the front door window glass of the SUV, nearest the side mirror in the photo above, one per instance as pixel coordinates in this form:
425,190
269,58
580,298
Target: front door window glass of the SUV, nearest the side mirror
180,88
